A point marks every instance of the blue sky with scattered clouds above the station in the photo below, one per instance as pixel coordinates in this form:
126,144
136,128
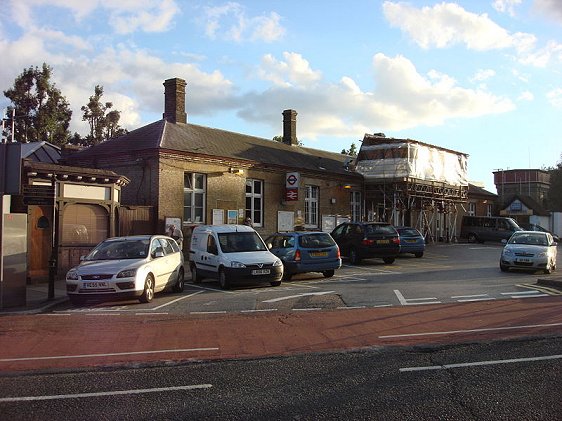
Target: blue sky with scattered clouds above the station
481,77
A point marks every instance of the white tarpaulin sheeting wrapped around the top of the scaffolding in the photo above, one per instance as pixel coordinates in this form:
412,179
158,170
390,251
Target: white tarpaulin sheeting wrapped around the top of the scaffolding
399,160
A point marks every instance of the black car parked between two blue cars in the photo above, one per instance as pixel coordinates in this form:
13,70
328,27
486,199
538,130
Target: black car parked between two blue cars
365,240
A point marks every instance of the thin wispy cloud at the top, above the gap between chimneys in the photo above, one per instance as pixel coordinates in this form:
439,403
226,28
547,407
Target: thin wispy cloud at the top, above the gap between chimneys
231,22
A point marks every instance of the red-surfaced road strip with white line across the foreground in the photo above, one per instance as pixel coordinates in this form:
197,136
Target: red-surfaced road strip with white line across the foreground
63,341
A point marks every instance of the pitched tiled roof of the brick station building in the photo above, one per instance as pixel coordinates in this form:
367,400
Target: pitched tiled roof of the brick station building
201,140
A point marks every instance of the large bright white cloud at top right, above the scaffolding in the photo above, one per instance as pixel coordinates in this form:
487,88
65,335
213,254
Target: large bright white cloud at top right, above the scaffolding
448,24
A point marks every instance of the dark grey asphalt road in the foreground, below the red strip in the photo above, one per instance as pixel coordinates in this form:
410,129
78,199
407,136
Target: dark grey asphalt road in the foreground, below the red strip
501,380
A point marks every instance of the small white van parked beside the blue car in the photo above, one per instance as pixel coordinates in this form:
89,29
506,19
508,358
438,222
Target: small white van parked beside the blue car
232,254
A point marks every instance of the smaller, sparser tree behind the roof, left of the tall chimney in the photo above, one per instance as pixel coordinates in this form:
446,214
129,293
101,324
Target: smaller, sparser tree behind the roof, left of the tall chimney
103,121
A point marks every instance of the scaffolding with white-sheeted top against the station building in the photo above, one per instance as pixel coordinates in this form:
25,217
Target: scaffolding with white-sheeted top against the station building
413,183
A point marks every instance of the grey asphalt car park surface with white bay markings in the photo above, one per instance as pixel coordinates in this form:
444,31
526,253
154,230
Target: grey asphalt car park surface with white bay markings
448,273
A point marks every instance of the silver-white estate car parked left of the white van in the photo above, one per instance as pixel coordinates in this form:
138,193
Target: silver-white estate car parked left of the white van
126,268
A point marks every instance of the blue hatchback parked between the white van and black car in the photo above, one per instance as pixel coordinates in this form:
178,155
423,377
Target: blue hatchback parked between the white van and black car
305,251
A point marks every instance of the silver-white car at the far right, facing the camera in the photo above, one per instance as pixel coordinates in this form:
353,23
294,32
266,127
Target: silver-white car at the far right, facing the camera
529,250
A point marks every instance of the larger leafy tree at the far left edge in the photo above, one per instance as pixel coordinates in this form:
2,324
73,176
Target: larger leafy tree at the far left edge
42,113
